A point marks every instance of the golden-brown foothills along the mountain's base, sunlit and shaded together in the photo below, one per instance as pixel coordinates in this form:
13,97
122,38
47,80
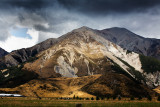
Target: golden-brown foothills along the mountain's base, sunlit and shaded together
110,85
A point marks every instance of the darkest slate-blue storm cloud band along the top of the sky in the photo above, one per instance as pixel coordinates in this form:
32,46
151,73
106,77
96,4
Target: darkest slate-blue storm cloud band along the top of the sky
85,6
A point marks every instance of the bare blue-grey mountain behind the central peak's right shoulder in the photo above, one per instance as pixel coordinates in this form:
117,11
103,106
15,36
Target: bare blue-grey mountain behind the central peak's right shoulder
133,42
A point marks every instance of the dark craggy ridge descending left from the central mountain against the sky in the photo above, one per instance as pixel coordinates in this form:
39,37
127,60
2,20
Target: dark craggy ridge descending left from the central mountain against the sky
19,56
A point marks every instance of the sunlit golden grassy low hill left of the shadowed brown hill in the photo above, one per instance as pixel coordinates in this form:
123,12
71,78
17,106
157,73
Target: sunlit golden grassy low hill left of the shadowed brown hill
53,87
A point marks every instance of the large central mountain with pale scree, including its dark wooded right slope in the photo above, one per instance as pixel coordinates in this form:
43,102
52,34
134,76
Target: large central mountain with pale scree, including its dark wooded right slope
85,51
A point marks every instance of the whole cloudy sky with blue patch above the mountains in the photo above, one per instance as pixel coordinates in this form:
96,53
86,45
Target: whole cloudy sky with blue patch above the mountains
24,23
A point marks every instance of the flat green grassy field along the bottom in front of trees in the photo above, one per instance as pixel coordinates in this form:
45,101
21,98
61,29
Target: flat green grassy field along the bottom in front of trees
15,102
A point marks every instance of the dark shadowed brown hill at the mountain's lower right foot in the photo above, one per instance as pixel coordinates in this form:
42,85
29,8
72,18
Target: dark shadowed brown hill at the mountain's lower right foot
113,84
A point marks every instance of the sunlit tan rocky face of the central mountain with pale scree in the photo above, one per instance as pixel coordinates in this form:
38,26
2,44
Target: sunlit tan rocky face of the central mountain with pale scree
82,52
